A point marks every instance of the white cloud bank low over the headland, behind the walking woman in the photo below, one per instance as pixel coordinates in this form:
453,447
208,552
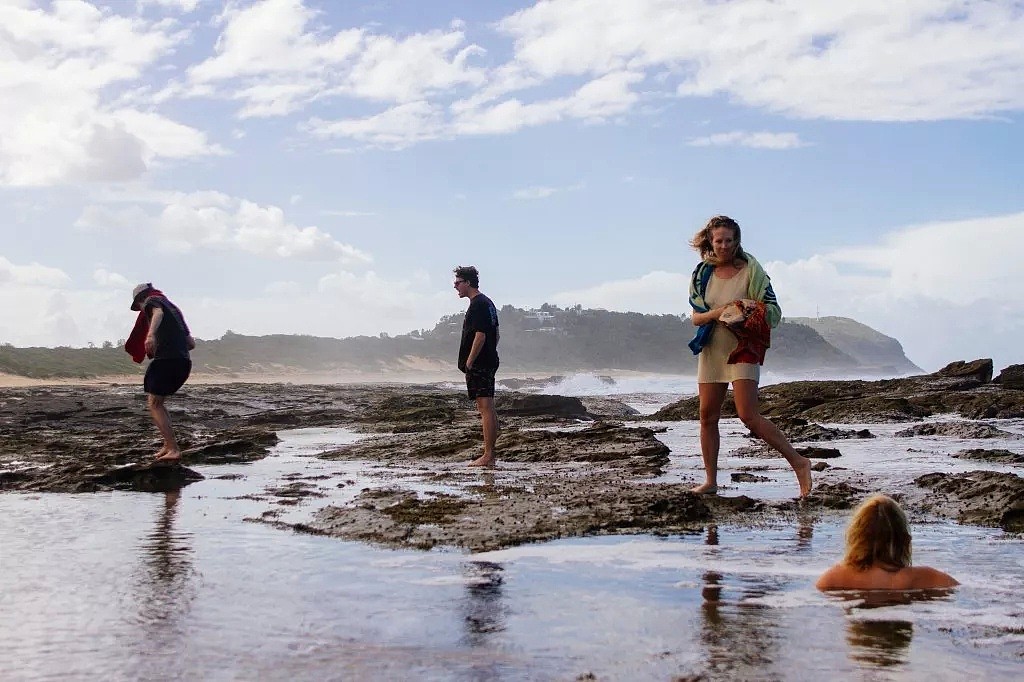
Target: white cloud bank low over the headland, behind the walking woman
919,284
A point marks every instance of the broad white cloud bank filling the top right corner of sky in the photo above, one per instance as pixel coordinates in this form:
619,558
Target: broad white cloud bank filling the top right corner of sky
869,61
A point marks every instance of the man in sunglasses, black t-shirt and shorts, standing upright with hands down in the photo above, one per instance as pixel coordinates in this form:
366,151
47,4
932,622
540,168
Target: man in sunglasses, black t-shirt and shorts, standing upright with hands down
479,356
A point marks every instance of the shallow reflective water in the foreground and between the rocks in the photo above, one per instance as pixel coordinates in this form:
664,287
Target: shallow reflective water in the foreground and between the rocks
123,586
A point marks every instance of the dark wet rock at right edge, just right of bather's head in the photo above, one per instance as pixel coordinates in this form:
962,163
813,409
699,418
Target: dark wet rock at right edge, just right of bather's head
987,498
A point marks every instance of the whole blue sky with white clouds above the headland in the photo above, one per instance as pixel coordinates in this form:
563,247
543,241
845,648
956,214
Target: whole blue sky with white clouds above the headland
319,167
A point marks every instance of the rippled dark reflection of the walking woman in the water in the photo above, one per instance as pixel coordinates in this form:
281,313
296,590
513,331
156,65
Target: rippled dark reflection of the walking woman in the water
740,635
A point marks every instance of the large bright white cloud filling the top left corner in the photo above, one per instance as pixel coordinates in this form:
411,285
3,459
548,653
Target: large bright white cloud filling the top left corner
61,69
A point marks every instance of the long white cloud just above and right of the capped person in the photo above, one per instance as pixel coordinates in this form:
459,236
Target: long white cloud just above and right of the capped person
212,221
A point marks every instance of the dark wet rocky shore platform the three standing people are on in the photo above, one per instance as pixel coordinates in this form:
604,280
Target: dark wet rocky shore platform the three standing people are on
568,467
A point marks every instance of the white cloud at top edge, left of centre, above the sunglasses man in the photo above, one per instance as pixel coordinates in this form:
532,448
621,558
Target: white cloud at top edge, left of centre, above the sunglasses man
284,63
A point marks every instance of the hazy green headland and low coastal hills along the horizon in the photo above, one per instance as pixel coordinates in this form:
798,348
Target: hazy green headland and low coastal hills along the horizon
549,339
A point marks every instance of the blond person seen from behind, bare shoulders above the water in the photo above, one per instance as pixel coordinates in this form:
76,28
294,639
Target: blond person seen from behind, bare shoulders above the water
878,553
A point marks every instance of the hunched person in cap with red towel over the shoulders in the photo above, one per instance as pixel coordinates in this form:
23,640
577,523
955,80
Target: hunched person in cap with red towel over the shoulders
162,335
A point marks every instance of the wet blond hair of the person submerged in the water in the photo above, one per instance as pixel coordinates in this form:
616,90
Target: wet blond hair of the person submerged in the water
879,533
